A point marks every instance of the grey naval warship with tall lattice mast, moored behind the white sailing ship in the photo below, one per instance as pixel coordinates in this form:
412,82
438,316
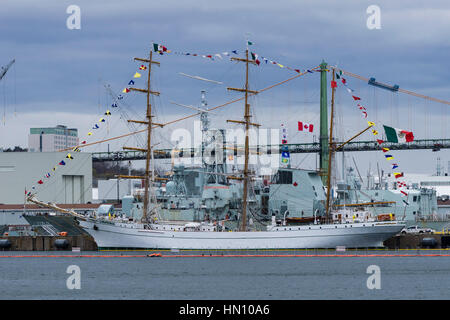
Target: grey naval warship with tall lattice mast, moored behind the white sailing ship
205,193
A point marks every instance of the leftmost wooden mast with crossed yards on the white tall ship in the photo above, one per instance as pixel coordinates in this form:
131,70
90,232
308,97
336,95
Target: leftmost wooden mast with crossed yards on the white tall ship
147,179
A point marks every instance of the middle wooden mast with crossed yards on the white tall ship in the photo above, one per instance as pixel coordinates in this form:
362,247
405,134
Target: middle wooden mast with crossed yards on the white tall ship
247,125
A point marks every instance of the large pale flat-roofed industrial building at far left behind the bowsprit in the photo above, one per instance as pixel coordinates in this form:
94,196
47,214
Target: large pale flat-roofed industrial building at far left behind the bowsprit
69,183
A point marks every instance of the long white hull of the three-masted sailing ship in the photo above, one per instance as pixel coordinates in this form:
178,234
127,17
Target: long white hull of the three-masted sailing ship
352,235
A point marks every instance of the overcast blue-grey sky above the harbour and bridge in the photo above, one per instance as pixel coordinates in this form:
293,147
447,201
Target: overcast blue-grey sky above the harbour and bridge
59,73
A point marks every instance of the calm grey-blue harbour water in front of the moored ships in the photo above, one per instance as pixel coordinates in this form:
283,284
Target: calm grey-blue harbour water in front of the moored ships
226,278
